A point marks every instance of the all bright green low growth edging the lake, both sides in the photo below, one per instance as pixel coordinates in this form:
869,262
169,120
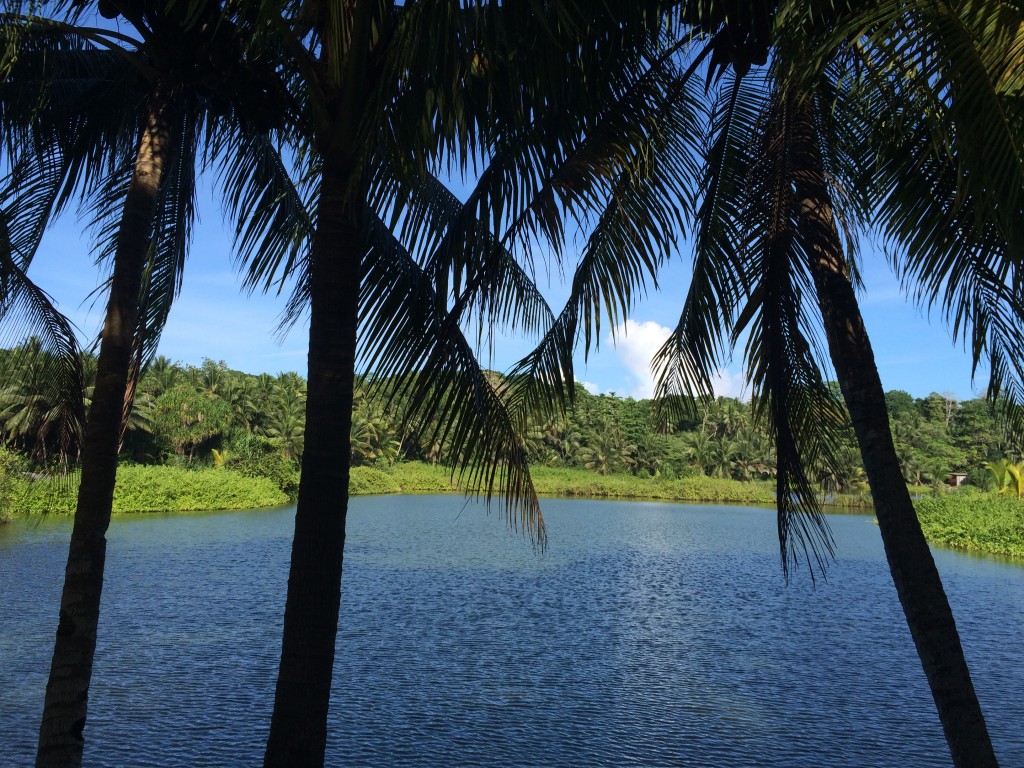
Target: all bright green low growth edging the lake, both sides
965,520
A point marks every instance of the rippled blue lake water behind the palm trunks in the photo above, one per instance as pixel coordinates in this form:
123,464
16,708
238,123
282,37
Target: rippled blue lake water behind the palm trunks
649,634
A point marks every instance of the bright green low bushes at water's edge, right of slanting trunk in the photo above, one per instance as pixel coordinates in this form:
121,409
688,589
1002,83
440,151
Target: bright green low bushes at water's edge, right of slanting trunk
976,522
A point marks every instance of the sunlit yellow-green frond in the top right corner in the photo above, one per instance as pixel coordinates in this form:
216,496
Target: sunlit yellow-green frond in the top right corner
957,64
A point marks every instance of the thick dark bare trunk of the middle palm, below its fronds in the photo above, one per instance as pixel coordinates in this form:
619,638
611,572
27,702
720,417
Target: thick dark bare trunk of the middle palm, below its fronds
298,728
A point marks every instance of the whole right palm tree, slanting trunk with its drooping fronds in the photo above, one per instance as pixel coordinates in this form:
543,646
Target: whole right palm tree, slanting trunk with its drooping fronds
786,169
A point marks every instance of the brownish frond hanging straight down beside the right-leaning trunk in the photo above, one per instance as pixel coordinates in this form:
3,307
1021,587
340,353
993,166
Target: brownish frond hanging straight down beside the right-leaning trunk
784,354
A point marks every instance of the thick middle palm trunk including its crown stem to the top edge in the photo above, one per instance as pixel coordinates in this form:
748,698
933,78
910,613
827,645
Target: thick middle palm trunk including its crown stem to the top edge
298,726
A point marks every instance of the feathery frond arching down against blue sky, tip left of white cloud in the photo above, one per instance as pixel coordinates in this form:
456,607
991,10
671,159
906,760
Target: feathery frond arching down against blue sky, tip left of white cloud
644,207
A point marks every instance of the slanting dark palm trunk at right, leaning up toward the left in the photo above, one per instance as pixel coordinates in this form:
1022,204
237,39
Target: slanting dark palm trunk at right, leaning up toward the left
918,585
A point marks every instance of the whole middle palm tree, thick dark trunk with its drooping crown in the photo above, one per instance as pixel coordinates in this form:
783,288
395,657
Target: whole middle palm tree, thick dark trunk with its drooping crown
395,255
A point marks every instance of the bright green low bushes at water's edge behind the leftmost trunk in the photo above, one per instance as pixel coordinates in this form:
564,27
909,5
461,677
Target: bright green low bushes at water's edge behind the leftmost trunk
156,490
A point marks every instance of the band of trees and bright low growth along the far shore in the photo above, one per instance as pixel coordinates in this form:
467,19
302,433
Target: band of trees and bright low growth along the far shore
193,418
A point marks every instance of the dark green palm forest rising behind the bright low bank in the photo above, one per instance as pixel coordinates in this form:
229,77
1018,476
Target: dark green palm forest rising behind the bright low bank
210,414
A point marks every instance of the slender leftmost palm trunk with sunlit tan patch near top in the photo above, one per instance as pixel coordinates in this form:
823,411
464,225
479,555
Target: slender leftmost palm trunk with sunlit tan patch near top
61,739
